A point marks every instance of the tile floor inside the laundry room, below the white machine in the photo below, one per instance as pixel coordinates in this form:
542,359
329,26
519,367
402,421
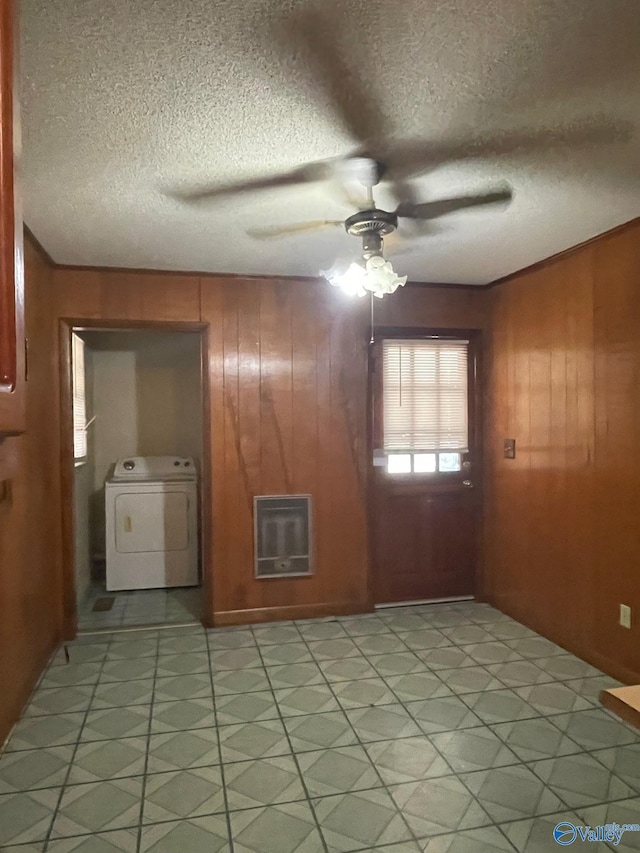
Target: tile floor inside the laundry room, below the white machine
140,607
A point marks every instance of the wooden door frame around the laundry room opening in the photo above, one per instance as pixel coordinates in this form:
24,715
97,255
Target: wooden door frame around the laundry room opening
66,326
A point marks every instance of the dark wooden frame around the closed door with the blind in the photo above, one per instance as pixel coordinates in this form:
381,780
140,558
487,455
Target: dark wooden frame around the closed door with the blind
476,407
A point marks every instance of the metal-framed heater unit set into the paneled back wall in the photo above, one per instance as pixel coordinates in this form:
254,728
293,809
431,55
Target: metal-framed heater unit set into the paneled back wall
282,535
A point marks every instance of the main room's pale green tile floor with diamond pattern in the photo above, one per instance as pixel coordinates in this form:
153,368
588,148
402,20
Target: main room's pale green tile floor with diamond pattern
442,728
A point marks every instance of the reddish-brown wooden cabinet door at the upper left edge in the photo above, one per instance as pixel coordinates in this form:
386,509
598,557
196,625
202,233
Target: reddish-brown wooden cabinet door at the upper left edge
12,347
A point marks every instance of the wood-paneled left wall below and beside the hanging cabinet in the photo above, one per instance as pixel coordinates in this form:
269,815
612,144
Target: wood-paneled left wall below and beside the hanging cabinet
30,587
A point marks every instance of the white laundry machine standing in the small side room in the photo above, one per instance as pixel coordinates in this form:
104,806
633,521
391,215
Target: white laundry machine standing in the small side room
152,523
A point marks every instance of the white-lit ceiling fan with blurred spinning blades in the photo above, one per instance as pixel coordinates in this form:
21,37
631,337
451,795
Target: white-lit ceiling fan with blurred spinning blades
316,35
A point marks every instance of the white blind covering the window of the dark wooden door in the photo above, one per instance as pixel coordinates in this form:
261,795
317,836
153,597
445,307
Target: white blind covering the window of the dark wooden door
425,395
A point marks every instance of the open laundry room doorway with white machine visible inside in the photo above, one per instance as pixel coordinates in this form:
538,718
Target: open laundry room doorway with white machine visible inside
135,460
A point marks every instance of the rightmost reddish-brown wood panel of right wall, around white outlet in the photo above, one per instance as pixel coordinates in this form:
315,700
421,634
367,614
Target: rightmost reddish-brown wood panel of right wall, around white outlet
617,462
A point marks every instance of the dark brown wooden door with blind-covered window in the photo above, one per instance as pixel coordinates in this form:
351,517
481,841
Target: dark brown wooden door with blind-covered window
425,525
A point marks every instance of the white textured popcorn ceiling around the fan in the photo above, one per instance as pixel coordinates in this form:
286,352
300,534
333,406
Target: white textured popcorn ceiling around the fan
125,103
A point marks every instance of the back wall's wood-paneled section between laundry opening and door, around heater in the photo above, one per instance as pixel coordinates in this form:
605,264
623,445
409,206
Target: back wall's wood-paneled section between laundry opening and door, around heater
288,415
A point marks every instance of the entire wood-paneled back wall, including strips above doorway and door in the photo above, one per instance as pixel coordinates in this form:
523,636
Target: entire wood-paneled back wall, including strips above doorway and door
287,386
